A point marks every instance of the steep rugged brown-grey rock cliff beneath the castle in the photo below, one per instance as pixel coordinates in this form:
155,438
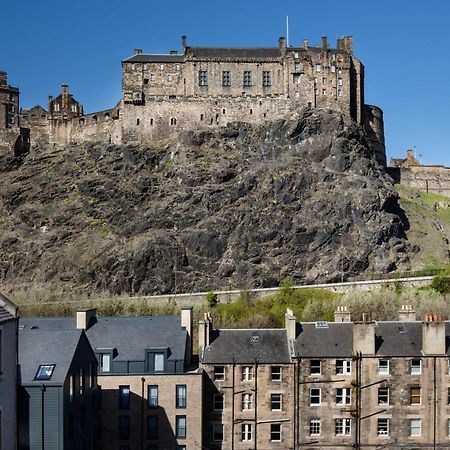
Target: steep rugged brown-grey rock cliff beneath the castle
241,206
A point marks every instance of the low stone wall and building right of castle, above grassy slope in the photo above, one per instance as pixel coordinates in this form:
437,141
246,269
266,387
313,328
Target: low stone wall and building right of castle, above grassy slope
409,171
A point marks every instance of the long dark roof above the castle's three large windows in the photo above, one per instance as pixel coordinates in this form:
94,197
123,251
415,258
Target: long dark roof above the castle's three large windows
234,53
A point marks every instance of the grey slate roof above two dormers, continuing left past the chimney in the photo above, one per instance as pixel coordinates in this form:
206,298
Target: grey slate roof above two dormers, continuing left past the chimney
131,336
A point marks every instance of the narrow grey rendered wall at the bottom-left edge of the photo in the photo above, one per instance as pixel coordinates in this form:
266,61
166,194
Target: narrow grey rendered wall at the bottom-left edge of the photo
8,378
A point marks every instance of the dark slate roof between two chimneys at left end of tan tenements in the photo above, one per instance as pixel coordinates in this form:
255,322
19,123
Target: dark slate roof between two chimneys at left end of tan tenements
246,346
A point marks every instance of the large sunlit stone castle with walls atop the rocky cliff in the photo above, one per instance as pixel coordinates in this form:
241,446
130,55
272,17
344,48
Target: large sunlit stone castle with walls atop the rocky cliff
205,87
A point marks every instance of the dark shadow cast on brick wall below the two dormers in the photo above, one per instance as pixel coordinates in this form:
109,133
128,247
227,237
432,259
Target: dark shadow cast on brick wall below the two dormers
135,423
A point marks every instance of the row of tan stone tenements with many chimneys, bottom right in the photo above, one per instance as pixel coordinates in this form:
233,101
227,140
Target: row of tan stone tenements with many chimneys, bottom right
328,385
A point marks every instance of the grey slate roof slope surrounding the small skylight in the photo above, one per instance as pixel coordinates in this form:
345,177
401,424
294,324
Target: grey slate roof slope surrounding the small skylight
38,347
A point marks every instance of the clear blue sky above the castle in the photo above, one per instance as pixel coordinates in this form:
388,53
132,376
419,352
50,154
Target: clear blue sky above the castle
404,45
